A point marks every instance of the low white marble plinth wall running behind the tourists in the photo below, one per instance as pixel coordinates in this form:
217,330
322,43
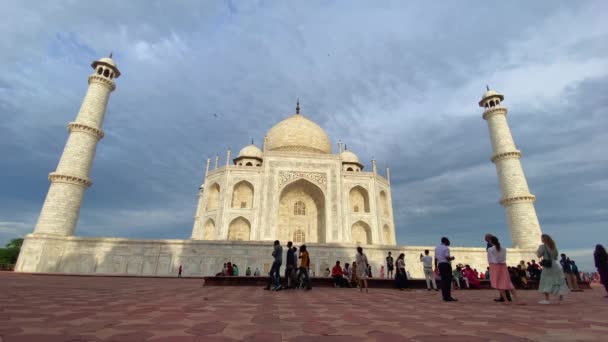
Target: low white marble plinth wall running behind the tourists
79,255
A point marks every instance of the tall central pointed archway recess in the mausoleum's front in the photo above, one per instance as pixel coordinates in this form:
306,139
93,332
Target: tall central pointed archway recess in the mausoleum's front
301,208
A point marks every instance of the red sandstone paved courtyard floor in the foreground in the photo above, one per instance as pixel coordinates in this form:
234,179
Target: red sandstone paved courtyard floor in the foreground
64,308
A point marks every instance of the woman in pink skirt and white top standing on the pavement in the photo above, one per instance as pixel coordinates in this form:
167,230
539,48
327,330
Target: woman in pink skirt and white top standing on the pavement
499,274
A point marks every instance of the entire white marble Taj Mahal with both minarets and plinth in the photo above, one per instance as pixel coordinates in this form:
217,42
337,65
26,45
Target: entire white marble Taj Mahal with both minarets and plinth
294,187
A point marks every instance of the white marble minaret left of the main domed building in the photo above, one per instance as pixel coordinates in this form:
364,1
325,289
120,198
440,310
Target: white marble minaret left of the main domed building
61,207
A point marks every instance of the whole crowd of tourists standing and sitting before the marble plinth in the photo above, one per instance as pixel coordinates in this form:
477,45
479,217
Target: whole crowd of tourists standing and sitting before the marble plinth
555,274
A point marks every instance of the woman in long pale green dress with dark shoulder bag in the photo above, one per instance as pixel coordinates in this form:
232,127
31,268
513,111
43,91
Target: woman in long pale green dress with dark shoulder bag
552,279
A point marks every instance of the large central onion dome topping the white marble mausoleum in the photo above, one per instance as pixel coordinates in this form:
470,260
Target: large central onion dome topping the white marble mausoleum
298,134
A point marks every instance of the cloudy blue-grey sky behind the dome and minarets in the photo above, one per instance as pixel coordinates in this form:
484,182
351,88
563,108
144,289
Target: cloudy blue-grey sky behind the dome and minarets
398,81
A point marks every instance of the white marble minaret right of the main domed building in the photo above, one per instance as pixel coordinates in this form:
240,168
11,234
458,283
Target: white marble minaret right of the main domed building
516,197
